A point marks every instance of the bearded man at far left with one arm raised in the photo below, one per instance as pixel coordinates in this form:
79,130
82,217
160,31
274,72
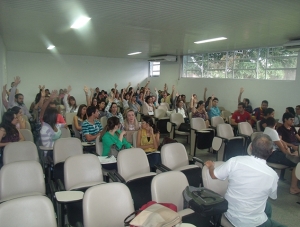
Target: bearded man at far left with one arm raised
18,99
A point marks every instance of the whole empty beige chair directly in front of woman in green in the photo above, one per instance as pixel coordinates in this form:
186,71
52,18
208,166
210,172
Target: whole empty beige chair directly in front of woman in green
134,171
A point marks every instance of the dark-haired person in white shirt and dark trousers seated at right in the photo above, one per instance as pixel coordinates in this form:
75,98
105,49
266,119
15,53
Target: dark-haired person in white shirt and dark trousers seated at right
281,152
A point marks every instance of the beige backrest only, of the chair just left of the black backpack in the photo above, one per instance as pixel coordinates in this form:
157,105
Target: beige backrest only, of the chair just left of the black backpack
167,187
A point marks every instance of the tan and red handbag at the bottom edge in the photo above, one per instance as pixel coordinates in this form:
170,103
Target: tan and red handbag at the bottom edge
153,214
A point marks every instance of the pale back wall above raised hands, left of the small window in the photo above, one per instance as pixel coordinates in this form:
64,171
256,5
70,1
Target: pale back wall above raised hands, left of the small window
59,71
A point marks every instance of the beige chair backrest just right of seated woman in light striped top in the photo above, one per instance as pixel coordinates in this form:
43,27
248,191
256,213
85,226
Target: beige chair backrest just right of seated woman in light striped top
66,147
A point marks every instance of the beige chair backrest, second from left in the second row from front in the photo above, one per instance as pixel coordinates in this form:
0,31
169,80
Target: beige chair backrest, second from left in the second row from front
82,171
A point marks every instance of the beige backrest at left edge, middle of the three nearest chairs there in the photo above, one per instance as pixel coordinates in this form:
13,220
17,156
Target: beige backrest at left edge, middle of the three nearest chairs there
19,179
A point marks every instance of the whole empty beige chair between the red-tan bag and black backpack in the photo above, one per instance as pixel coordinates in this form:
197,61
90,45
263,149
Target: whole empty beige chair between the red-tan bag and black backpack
167,188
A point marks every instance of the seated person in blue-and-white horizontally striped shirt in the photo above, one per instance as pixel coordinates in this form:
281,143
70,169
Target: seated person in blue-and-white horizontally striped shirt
91,127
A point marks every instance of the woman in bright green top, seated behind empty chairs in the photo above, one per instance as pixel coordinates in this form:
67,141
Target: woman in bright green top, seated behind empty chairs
114,136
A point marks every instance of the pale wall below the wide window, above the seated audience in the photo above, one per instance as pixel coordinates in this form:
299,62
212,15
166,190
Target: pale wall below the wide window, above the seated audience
280,94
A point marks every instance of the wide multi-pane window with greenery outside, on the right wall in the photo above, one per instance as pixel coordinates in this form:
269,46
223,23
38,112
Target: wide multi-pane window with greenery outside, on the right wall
274,63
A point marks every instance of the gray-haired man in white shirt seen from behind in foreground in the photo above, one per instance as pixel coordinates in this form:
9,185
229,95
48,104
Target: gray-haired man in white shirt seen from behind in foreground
250,182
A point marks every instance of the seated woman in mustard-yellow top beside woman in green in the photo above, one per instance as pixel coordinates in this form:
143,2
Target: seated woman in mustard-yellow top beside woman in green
148,140
